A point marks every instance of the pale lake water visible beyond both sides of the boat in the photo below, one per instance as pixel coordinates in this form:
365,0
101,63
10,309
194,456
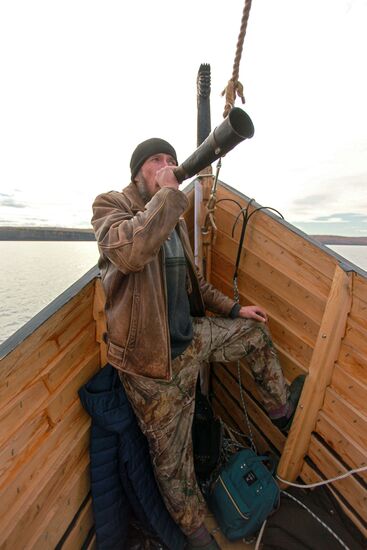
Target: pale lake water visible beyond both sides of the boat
33,273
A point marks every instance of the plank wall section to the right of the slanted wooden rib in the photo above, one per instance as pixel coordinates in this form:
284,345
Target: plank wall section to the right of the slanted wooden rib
339,441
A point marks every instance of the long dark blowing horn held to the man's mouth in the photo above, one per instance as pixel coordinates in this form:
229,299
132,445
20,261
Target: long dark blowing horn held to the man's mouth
236,127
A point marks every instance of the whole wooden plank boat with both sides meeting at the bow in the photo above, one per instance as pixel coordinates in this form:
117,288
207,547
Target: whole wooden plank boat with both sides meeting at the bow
317,304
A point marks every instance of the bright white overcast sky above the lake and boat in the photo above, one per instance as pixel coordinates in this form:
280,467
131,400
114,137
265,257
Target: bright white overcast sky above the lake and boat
84,81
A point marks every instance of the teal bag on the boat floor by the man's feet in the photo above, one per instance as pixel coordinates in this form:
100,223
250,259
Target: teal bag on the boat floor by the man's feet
244,495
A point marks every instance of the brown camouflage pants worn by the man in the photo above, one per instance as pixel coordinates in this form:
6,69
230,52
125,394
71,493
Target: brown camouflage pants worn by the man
165,409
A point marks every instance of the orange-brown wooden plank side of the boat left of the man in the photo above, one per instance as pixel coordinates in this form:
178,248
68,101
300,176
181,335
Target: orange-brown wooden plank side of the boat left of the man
44,431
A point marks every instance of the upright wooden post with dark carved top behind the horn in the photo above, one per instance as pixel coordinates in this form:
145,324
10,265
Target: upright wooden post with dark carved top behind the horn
204,182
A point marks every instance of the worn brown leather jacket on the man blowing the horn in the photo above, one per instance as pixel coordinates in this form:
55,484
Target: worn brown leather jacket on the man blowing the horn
130,236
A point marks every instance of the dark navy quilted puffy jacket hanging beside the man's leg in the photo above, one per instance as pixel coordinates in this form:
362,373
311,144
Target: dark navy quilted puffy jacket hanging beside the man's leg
122,479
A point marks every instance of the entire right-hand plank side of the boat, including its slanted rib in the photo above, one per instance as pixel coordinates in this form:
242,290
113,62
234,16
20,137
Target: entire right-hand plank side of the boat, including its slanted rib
299,284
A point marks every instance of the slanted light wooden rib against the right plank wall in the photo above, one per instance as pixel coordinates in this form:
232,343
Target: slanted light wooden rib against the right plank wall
325,353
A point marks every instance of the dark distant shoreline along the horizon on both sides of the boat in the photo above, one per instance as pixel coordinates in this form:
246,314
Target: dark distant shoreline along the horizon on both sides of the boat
8,233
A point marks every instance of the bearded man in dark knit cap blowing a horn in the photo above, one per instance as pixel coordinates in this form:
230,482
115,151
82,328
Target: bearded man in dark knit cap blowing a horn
158,333
